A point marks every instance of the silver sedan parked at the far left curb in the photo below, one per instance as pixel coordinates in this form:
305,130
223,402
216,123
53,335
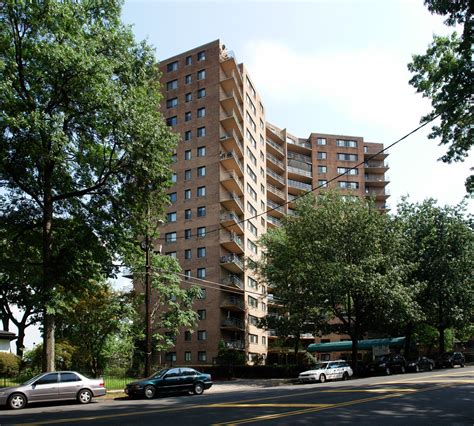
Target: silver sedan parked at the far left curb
57,386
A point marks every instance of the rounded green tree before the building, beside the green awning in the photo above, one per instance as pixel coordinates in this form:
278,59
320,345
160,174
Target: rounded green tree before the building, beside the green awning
346,258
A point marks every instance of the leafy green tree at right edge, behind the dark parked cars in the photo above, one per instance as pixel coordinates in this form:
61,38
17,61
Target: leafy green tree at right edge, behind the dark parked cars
441,240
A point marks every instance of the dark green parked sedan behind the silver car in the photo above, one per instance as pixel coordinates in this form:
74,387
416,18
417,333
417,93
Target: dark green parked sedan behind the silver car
170,380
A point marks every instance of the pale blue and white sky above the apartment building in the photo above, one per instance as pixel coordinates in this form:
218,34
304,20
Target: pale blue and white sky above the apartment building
330,66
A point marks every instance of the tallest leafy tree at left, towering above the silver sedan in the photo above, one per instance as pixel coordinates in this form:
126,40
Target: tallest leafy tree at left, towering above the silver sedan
79,123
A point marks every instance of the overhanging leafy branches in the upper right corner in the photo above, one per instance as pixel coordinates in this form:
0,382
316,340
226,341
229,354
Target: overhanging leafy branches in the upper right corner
444,75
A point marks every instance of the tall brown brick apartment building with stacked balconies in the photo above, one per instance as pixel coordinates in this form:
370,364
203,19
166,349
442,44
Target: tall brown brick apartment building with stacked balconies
235,176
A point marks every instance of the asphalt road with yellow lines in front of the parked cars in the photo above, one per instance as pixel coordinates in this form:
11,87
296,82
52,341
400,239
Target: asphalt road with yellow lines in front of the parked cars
441,397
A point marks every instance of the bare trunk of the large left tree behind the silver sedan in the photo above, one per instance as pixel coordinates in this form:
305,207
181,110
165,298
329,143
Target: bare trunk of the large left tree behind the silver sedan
49,319
